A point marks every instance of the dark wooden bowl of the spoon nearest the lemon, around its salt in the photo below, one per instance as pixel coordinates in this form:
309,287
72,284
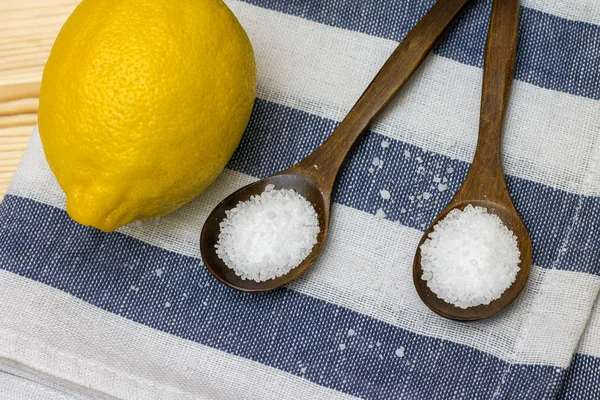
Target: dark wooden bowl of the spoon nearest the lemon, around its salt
304,185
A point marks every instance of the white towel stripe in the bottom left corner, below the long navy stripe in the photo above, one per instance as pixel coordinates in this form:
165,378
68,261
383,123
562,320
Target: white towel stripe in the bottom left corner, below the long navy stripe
58,334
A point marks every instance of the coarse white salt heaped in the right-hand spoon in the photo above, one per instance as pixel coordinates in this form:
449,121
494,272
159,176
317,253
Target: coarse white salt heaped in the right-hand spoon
470,257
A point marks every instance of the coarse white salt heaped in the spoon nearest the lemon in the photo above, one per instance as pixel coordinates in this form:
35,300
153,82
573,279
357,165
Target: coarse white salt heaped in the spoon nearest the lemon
268,235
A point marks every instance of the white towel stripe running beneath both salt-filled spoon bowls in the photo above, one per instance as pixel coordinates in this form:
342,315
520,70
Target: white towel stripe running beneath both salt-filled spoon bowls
366,266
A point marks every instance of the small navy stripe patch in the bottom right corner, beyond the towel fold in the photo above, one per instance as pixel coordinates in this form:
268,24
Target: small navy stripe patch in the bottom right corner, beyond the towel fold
582,380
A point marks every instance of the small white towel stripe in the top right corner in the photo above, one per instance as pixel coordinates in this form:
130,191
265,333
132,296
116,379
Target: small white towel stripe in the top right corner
578,10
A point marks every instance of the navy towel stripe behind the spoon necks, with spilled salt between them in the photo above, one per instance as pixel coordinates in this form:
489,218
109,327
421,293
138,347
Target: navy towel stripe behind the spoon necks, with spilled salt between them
563,226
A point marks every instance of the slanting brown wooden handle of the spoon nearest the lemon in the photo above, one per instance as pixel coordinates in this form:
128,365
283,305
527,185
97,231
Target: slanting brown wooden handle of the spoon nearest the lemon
393,75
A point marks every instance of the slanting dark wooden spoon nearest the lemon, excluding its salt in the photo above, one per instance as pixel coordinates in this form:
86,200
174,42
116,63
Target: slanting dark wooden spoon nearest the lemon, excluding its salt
314,176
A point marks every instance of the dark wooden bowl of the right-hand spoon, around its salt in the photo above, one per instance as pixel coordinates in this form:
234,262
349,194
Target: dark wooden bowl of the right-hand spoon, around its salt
510,218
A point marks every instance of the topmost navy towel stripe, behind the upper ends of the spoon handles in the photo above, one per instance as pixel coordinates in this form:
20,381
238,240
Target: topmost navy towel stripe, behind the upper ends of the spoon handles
553,52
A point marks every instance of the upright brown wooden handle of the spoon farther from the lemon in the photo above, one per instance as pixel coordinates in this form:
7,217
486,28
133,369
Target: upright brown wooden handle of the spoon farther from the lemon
498,71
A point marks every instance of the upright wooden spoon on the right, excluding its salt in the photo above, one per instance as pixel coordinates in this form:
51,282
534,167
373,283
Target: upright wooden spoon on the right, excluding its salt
484,185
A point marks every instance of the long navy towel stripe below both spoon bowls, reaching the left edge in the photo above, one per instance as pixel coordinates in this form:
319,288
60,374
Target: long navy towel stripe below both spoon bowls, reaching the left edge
283,329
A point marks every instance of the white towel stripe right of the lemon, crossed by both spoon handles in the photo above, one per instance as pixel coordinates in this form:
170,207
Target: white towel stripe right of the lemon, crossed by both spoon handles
549,136
